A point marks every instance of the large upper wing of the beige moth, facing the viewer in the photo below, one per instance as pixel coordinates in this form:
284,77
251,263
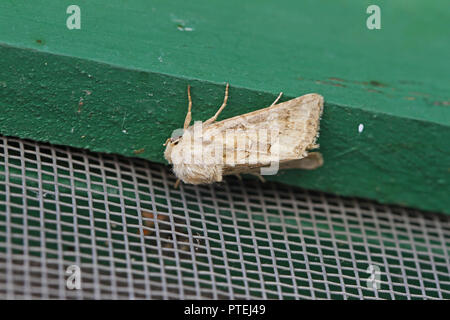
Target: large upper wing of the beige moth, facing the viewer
280,133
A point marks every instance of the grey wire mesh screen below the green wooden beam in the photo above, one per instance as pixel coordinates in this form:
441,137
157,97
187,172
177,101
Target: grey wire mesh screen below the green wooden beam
133,235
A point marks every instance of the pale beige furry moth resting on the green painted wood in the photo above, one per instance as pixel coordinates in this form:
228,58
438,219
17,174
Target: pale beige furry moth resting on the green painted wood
260,142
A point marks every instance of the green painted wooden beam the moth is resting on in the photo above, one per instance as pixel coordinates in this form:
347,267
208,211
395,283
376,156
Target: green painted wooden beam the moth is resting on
119,83
